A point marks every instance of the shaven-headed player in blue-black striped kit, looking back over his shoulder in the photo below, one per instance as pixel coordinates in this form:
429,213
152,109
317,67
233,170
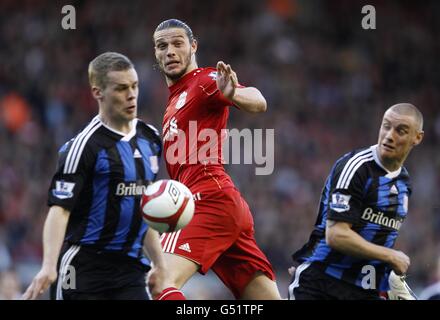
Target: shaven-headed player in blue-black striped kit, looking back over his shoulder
364,201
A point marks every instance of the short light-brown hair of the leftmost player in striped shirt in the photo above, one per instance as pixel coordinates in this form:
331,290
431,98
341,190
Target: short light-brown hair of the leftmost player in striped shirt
103,64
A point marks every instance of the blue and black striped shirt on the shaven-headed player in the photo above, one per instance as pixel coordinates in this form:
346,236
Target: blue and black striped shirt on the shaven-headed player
360,191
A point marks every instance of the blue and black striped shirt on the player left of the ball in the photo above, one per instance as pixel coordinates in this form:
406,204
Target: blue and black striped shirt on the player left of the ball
100,179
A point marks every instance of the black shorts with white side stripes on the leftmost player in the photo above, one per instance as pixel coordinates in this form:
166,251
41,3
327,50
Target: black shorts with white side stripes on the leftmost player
93,275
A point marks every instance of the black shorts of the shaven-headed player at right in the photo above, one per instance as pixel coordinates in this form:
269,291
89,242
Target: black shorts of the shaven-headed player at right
311,283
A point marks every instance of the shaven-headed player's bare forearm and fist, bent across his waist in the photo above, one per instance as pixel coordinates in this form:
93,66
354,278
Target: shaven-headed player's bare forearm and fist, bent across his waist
341,237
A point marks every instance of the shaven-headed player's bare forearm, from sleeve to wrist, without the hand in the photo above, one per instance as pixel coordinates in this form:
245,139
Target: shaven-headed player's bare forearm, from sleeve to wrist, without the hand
350,243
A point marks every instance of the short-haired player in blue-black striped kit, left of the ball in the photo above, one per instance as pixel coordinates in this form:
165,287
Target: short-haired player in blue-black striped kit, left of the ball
94,236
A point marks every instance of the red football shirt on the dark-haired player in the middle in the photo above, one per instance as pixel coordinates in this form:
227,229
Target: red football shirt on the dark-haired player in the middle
193,128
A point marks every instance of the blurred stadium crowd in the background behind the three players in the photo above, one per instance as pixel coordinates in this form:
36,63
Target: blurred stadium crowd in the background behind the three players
326,79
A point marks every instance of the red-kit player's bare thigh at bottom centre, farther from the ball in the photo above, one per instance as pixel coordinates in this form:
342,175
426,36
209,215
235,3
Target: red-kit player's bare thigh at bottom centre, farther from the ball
261,288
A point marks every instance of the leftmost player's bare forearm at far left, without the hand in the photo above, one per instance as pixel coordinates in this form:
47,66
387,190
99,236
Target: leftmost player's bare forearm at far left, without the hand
53,235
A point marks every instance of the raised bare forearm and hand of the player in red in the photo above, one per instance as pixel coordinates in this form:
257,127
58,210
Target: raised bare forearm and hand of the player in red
249,99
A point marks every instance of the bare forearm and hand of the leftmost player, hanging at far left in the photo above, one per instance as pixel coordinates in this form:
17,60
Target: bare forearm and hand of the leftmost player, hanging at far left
53,237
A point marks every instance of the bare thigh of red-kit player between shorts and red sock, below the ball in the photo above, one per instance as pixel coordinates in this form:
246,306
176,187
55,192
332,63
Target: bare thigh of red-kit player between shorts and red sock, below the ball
180,269
